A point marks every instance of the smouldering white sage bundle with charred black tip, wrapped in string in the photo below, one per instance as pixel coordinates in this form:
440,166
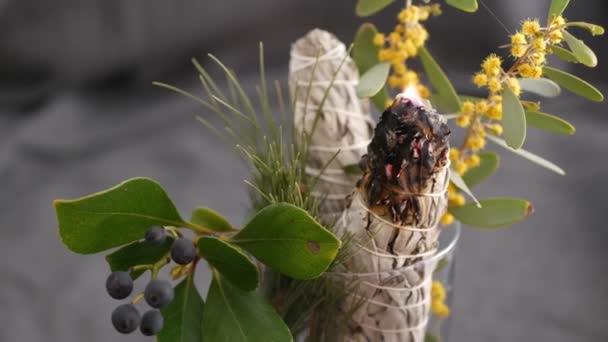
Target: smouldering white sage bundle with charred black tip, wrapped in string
394,213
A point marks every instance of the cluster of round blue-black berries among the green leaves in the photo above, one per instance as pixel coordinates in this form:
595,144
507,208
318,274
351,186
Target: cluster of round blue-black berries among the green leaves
159,293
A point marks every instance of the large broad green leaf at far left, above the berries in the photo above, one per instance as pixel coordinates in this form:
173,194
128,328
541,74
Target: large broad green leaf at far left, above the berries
115,216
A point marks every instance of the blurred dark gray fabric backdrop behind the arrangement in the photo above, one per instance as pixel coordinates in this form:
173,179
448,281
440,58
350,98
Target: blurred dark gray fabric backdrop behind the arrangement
78,114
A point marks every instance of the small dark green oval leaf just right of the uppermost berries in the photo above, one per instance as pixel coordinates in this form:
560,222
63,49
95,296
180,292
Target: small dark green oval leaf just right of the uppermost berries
233,264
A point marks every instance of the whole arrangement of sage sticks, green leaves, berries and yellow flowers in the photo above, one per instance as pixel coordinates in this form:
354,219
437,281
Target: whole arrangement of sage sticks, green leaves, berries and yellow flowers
347,208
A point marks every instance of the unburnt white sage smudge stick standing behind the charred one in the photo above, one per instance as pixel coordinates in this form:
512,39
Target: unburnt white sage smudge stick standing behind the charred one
344,124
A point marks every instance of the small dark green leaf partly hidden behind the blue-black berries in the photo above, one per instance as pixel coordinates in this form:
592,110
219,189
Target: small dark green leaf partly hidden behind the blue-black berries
137,253
